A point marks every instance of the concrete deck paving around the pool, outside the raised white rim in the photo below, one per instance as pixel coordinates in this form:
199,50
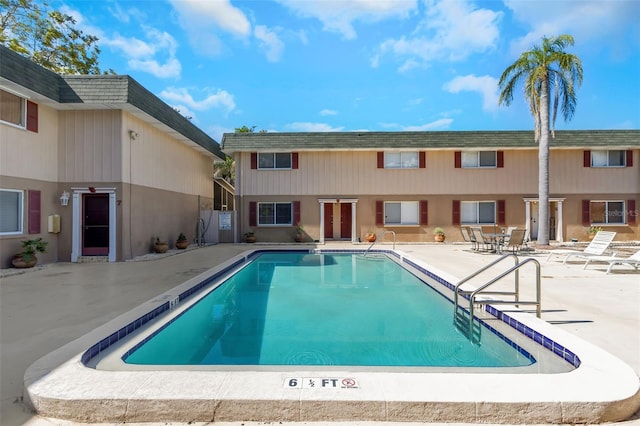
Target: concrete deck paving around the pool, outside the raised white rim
43,309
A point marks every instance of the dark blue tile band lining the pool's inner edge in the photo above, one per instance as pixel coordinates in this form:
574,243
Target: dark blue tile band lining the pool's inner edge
528,332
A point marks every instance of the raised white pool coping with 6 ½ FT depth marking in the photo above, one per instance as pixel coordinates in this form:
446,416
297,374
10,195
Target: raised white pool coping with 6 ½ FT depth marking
59,385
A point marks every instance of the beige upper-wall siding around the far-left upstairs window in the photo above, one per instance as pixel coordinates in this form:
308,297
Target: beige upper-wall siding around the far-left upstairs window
28,154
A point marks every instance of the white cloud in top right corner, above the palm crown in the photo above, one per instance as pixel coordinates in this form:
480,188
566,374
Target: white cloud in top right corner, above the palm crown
593,21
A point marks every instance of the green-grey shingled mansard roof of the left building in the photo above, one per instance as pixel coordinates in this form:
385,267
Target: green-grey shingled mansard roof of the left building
102,91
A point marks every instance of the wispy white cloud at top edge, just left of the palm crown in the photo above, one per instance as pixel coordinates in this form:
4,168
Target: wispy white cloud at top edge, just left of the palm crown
449,31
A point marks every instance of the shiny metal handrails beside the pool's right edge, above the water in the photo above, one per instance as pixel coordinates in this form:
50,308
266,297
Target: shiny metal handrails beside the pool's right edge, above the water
516,293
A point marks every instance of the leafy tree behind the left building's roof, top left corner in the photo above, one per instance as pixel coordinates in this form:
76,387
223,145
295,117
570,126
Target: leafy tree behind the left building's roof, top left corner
48,37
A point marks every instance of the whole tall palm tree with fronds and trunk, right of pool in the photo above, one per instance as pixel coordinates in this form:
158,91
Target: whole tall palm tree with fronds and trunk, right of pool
541,70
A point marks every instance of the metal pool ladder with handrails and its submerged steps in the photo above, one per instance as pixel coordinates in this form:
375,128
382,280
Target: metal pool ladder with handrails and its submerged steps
463,319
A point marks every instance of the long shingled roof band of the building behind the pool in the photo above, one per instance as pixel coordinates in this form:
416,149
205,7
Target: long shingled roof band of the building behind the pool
347,141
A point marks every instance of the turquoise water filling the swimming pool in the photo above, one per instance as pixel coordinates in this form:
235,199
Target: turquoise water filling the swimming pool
322,309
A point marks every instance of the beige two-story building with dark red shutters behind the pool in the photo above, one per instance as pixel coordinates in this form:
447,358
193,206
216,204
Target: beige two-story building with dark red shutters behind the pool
339,186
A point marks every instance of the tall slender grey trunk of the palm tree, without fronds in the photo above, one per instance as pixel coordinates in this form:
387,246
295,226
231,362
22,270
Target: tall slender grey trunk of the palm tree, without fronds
543,167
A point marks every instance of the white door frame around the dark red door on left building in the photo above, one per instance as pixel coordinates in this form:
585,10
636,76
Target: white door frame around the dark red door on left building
76,224
